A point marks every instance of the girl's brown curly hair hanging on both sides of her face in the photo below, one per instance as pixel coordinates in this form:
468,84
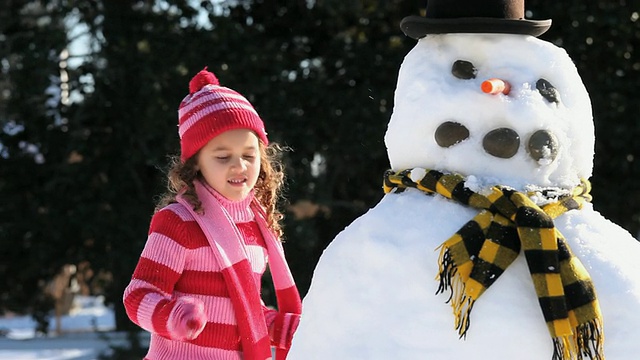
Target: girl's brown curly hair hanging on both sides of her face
267,190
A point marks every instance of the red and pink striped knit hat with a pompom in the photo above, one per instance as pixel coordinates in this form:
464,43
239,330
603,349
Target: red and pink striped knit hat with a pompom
211,109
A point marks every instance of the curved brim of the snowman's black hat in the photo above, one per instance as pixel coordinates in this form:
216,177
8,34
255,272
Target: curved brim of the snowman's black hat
418,27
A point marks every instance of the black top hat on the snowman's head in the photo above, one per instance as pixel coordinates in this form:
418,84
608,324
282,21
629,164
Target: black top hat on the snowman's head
473,16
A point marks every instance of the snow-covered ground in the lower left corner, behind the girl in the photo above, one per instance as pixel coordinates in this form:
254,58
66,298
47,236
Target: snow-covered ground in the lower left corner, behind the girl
88,331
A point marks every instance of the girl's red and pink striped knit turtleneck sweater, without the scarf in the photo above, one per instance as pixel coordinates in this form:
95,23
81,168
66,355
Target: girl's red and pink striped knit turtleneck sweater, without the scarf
177,261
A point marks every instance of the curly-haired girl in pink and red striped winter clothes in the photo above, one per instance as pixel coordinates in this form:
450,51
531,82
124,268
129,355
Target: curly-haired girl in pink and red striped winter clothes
196,287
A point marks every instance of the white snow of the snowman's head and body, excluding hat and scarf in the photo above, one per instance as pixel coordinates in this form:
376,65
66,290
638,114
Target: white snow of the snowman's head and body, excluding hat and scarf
373,295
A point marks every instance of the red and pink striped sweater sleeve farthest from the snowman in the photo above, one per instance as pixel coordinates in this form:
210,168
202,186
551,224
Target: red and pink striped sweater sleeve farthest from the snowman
148,298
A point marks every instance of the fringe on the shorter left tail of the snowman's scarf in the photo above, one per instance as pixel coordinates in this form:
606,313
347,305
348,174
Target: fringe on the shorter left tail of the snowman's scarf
450,279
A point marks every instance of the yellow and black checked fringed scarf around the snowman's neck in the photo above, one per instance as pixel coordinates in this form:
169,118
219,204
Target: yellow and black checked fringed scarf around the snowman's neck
477,254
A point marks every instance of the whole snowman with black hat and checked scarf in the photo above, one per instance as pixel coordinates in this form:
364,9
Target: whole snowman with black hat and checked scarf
486,245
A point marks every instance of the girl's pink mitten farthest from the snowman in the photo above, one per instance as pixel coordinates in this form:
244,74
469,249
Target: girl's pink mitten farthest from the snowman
187,319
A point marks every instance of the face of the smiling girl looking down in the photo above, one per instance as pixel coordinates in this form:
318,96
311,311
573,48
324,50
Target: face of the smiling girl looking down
230,163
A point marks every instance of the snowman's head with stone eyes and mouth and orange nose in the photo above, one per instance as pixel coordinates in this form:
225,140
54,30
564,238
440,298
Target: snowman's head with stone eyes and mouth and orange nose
447,115
